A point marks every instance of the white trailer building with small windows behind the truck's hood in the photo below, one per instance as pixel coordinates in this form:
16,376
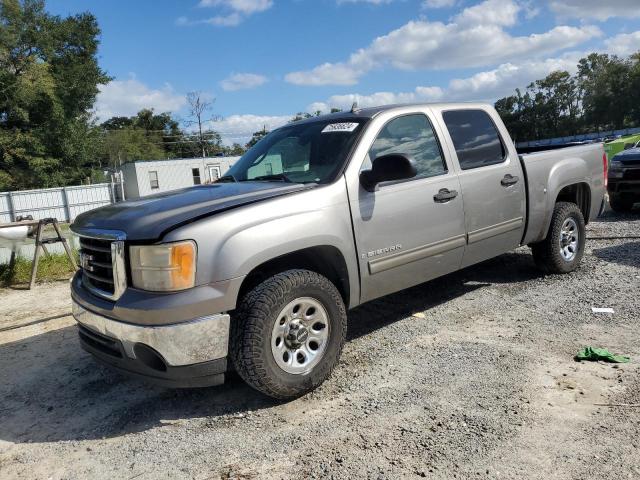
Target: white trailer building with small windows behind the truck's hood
144,178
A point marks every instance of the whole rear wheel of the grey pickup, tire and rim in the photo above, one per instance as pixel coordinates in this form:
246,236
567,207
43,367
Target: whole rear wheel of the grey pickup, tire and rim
562,250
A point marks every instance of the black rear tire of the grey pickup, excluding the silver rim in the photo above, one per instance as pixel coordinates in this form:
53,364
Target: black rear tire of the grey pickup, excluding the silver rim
546,254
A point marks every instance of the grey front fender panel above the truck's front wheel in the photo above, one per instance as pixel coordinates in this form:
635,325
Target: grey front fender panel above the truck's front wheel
233,243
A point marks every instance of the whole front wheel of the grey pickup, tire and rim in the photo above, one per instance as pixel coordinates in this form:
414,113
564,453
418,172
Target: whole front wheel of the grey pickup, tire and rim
288,333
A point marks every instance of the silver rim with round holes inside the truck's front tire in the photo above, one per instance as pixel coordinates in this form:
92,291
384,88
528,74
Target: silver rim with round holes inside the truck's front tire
300,335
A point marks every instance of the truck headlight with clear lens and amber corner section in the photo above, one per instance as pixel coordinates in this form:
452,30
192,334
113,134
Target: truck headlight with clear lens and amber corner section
164,268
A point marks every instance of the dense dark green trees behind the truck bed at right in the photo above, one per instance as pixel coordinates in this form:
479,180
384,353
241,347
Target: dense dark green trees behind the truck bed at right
603,94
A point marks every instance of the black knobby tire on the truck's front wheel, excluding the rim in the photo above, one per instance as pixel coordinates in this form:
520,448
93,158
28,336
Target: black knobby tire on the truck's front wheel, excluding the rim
254,319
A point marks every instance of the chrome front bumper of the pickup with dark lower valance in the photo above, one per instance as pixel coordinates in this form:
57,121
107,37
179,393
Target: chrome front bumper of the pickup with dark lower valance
186,354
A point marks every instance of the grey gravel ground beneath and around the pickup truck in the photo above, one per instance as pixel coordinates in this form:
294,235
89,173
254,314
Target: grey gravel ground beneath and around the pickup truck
467,376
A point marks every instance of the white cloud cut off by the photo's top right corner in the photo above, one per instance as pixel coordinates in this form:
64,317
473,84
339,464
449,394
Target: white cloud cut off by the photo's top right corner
598,9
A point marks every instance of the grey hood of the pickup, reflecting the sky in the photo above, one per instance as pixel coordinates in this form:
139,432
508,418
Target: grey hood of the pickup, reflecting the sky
149,218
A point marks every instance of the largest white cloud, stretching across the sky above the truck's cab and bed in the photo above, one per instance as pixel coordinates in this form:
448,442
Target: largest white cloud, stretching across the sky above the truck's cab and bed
474,38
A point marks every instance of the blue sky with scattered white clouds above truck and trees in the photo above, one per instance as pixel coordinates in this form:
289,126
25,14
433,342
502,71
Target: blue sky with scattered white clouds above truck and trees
264,60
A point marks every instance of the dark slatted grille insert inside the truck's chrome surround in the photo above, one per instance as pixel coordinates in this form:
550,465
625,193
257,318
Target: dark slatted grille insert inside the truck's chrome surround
97,265
